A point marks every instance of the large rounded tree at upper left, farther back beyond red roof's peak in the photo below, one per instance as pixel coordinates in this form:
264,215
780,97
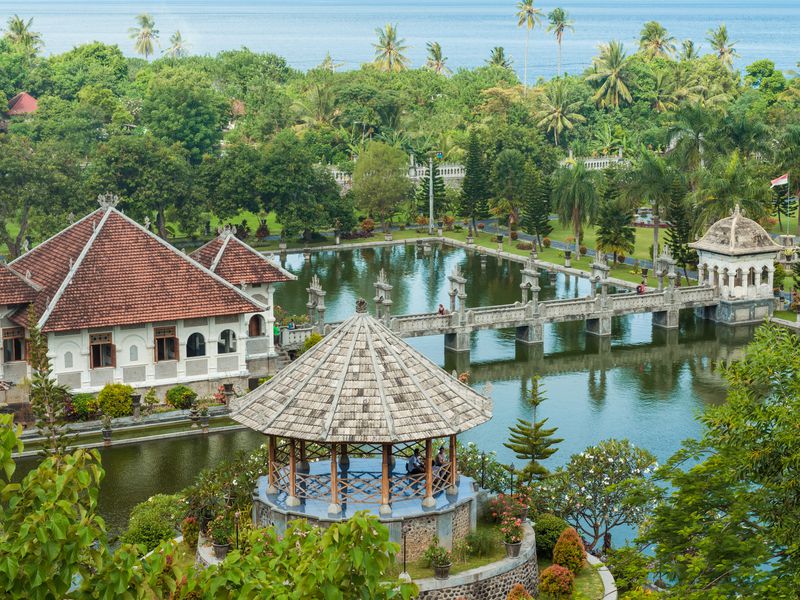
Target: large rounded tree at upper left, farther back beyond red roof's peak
181,107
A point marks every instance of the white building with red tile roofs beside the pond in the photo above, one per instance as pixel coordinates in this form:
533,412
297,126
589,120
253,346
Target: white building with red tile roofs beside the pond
119,304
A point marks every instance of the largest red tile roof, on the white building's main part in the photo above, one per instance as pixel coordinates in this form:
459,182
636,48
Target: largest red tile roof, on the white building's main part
123,275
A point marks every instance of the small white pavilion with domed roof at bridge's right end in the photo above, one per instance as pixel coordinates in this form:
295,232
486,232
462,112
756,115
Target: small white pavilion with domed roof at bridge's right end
737,256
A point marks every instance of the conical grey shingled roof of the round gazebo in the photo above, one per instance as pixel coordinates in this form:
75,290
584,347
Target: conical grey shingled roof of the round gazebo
362,383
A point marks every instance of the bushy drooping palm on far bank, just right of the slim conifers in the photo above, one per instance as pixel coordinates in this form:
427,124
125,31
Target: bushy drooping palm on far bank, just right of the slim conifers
576,198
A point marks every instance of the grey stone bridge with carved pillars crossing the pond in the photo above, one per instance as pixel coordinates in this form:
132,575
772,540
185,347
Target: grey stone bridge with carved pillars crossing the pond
529,315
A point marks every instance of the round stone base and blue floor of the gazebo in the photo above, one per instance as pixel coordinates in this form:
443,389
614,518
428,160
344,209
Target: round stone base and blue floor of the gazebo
451,520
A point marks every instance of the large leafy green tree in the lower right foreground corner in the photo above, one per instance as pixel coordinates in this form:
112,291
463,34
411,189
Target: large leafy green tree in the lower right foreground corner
729,503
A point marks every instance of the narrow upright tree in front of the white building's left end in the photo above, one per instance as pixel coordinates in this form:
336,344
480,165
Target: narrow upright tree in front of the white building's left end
48,398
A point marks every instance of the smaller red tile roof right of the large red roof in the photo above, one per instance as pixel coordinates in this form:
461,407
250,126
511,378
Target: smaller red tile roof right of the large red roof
236,262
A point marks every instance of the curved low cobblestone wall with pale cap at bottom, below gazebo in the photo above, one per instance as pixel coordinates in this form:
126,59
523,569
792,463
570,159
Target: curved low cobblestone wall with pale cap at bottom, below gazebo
490,582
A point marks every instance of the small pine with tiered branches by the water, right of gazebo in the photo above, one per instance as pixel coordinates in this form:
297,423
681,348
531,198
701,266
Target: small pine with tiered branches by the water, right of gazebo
530,440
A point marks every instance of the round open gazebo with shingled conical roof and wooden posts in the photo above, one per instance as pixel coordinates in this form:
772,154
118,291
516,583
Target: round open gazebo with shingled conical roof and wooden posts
342,421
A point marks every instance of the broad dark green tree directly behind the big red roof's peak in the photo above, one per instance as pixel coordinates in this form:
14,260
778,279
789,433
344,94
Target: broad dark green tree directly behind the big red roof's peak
149,175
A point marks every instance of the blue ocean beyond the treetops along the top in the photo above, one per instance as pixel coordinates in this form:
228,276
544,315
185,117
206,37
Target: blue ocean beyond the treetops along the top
304,31
